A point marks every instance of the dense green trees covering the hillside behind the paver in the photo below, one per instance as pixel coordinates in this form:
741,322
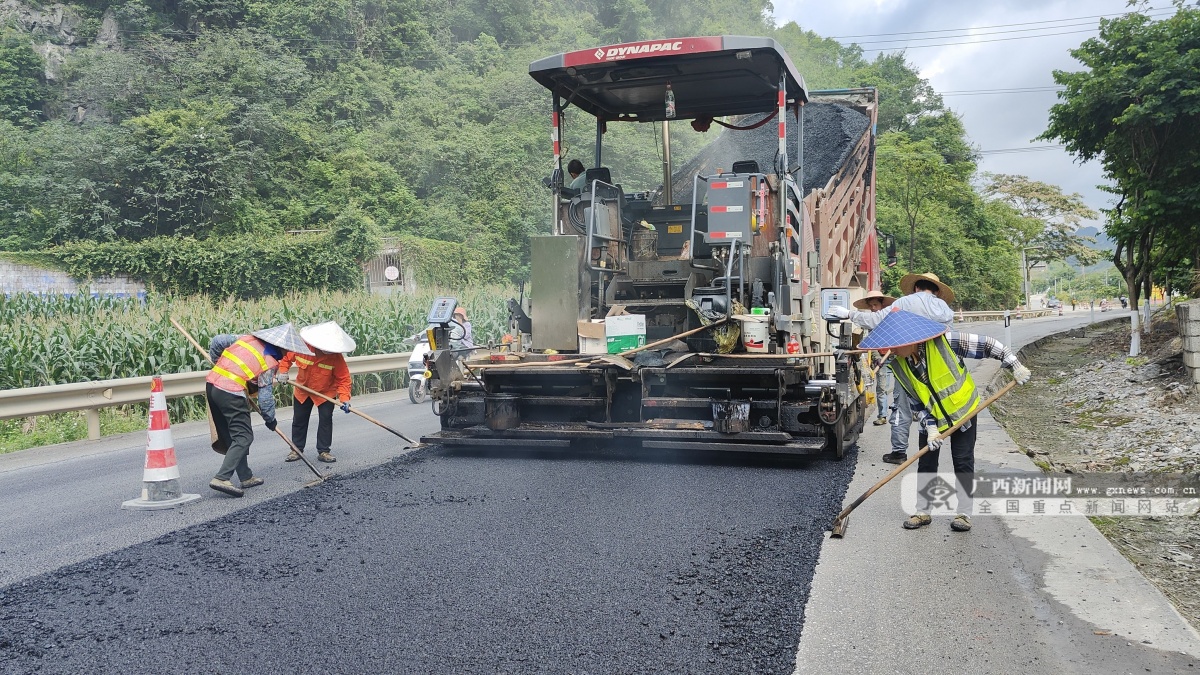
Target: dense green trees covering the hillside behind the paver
233,122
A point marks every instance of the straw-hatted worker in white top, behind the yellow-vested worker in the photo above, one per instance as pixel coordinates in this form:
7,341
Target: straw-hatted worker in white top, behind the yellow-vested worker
925,296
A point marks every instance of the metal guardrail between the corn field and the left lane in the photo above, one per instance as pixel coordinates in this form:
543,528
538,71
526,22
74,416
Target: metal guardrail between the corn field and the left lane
92,397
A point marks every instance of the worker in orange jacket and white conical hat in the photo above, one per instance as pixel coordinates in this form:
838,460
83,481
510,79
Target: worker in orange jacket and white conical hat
325,372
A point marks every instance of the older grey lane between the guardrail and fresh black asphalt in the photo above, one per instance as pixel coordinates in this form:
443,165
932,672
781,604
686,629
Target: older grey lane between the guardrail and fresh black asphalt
62,504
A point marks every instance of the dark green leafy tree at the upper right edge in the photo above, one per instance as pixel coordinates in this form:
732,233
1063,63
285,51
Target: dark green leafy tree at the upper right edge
1137,111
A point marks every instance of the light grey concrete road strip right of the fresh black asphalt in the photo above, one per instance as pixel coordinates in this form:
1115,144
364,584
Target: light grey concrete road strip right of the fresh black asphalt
1012,596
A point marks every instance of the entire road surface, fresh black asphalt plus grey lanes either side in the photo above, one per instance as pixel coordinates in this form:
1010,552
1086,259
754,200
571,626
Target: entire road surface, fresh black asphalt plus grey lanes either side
434,561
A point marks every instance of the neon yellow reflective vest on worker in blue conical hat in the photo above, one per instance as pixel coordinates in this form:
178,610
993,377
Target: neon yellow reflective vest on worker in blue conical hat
950,395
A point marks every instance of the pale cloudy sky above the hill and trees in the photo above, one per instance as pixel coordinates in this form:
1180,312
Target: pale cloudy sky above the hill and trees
964,47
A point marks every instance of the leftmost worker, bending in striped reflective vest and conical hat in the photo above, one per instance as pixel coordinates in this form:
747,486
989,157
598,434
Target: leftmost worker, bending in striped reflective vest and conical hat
242,367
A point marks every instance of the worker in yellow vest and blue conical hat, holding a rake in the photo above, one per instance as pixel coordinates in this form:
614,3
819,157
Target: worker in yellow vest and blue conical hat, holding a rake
929,369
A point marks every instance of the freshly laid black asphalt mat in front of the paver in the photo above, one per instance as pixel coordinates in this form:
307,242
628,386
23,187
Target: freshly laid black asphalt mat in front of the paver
442,563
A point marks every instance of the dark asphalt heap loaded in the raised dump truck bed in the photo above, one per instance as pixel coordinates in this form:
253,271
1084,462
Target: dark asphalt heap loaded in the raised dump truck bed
831,132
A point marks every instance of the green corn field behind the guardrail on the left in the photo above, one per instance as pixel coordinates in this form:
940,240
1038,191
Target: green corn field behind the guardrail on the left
57,341
